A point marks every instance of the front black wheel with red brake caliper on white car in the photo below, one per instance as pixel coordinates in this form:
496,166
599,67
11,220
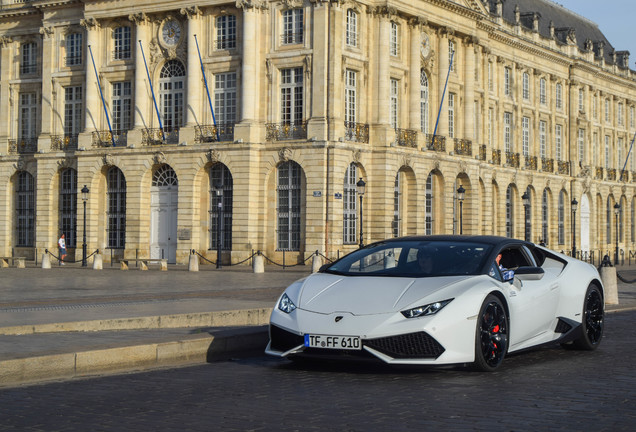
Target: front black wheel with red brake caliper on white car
491,336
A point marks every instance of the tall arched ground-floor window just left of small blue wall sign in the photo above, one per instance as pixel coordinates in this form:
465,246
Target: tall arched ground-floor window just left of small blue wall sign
289,206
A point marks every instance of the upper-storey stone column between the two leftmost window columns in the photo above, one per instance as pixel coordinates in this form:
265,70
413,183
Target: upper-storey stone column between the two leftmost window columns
49,94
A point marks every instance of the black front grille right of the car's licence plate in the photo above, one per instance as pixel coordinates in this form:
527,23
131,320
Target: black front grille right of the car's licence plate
411,345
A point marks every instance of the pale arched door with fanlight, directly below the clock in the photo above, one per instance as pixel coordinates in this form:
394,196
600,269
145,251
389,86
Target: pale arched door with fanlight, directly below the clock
164,196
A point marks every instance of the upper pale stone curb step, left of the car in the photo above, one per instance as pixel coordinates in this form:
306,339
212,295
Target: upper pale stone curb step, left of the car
245,317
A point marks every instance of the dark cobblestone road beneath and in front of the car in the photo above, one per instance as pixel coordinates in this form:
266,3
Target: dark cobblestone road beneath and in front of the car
542,390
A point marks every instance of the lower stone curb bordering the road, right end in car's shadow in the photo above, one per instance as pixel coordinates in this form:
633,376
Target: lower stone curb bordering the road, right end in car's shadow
142,357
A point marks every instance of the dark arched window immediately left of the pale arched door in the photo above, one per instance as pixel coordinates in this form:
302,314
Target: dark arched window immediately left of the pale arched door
116,192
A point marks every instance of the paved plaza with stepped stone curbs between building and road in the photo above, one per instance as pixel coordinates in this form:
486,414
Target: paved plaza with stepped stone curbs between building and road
71,322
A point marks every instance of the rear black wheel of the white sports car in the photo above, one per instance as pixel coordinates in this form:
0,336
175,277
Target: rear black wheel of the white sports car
593,320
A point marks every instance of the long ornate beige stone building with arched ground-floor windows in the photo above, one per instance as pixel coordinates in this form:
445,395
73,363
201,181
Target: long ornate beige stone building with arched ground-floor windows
522,103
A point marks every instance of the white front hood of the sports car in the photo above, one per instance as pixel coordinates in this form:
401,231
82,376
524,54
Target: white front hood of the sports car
364,295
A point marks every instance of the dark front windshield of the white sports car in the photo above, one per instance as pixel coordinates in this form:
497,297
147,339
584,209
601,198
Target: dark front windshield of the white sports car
414,258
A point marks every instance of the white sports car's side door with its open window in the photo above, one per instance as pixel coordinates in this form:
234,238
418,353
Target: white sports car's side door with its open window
532,303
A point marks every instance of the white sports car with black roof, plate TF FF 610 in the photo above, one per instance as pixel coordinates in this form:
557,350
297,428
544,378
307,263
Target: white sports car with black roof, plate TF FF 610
440,300
